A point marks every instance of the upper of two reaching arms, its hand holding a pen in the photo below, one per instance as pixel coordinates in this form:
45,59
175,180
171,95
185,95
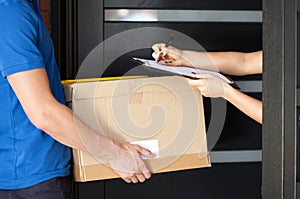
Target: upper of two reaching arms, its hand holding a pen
232,63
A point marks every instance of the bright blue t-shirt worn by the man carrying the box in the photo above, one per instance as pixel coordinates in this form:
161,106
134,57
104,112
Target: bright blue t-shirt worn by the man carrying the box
28,155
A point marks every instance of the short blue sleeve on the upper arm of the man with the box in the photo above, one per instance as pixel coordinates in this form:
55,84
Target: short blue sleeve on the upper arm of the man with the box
18,40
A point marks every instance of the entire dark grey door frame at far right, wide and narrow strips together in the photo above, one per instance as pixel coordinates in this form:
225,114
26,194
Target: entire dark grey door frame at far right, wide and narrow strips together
279,99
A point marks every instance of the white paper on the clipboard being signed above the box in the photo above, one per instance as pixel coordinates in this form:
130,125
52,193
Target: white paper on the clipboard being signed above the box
181,70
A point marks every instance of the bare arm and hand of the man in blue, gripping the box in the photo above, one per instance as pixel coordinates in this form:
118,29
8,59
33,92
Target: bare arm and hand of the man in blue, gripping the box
46,113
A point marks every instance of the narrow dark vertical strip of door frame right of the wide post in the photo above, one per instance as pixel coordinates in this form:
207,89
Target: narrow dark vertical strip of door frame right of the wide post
290,98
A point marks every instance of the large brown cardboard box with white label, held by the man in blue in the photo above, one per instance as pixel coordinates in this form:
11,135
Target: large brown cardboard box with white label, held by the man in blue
163,111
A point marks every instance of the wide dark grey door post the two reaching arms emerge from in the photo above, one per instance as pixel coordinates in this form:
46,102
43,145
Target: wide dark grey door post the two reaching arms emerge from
273,134
